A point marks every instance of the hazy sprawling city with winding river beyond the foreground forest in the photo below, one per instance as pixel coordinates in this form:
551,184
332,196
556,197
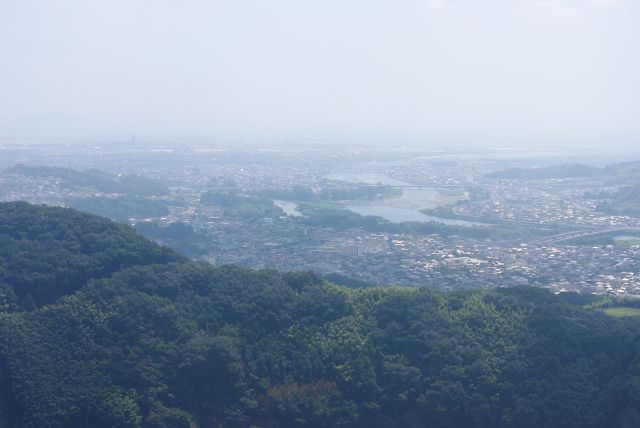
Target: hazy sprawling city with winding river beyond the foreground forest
443,220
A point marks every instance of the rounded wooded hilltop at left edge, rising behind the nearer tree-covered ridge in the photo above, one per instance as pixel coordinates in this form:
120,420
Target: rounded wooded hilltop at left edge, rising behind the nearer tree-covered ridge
48,252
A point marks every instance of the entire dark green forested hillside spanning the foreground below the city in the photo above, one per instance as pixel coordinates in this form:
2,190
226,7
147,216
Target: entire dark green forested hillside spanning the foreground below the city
151,340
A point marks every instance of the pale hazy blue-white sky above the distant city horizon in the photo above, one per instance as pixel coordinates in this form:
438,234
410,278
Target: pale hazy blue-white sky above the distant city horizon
429,72
